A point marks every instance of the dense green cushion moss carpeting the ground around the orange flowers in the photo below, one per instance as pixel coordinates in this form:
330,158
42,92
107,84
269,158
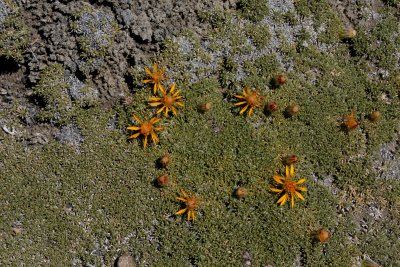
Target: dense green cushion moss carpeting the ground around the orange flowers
88,204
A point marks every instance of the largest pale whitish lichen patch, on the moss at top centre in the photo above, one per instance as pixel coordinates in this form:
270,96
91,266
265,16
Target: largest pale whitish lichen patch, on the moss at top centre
232,40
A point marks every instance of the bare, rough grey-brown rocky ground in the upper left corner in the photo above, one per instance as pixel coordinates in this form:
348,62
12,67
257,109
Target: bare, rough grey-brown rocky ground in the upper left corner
127,34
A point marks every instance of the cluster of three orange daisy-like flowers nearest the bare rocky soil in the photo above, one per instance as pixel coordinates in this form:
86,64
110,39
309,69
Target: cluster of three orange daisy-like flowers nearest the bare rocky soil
168,101
